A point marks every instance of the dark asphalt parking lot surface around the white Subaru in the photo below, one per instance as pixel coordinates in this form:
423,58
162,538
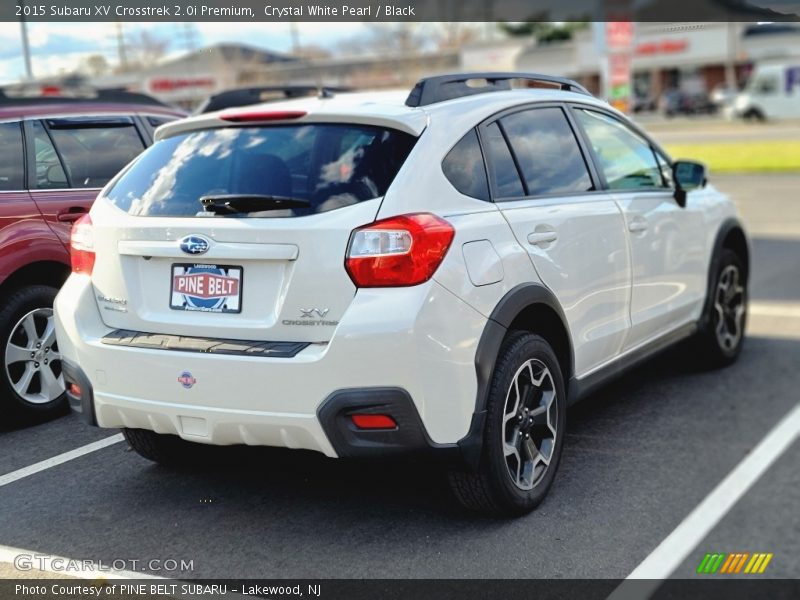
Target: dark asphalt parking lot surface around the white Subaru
639,457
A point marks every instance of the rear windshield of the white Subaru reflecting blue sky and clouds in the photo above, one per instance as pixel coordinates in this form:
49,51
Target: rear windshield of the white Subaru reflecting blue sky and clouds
326,165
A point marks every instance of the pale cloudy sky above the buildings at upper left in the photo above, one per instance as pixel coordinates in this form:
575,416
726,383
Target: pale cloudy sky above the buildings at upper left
59,47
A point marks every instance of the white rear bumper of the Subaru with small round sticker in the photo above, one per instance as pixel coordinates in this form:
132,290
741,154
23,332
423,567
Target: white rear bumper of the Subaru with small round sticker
420,341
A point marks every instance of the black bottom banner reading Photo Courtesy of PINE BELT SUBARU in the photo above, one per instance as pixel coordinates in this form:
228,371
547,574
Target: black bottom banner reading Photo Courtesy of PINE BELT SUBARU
405,589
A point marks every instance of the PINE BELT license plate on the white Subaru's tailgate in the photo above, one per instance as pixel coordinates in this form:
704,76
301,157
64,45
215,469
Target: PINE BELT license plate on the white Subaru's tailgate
206,288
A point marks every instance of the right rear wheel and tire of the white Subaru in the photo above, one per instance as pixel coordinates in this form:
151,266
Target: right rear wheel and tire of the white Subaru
500,486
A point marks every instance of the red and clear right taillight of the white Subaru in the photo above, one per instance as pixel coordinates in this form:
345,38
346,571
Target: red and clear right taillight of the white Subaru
399,251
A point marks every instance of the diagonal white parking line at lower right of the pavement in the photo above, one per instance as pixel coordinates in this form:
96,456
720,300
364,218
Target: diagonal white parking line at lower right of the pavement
677,546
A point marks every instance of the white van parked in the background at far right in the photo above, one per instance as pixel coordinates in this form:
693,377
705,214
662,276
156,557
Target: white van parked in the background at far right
772,92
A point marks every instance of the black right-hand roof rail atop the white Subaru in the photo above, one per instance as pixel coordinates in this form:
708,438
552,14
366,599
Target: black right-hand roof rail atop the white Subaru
439,88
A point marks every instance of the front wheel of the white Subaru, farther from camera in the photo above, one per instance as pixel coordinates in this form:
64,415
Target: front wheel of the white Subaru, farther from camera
719,342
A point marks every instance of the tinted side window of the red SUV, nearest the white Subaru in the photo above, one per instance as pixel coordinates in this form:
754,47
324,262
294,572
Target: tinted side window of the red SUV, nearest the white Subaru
91,150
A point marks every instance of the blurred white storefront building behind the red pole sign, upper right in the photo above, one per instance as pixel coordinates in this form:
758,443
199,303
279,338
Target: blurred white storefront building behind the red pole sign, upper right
695,58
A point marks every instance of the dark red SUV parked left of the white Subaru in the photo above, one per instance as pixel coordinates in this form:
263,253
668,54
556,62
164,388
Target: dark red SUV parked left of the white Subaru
55,155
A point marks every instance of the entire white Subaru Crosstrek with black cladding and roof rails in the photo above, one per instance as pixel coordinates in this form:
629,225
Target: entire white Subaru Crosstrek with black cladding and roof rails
370,275
